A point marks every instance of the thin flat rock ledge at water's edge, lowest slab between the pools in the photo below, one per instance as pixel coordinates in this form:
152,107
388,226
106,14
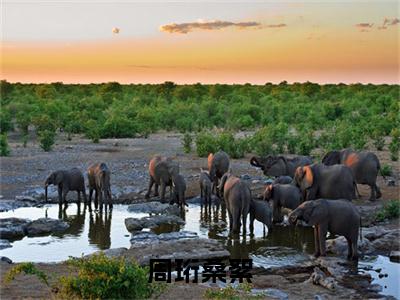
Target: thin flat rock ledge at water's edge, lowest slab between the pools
152,238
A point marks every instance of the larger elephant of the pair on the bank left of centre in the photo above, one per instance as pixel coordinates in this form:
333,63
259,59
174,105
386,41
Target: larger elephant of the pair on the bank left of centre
161,170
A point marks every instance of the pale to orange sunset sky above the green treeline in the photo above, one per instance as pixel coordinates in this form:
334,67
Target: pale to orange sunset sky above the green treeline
194,41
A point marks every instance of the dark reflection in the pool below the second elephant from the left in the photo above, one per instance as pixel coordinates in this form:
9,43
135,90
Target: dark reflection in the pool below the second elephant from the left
100,229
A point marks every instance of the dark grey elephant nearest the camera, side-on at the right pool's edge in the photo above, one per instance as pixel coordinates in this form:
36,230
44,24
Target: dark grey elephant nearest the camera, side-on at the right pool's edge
336,216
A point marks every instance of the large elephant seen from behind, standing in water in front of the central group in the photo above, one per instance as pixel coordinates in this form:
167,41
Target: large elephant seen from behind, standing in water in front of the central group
237,197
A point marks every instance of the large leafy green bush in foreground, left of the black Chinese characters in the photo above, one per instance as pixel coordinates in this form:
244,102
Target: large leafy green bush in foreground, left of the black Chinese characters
100,277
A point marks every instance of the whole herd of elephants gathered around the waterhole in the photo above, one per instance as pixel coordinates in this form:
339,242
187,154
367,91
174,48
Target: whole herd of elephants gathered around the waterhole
319,194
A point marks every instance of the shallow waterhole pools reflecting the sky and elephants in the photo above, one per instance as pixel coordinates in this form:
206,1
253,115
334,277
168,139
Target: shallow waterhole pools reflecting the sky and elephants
89,232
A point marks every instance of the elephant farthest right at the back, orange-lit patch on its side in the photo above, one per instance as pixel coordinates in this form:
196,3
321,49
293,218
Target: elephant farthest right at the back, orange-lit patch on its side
364,165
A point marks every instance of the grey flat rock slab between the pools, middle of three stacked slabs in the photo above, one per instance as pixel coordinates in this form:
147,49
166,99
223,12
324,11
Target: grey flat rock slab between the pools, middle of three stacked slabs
134,224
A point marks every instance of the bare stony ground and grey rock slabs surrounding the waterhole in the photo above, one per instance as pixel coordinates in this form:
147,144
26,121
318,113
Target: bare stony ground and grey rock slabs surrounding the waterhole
23,174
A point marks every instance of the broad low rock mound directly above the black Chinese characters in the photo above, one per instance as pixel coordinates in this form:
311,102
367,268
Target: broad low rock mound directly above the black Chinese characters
201,249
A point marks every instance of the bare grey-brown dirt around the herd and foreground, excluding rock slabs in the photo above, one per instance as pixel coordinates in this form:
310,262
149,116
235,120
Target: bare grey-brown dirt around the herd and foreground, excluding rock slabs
27,168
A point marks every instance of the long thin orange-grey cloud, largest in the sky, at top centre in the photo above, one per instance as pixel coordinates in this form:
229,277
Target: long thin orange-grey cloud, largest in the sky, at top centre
184,28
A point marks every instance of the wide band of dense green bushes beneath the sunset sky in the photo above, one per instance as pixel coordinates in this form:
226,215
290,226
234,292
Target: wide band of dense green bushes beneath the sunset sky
293,118
